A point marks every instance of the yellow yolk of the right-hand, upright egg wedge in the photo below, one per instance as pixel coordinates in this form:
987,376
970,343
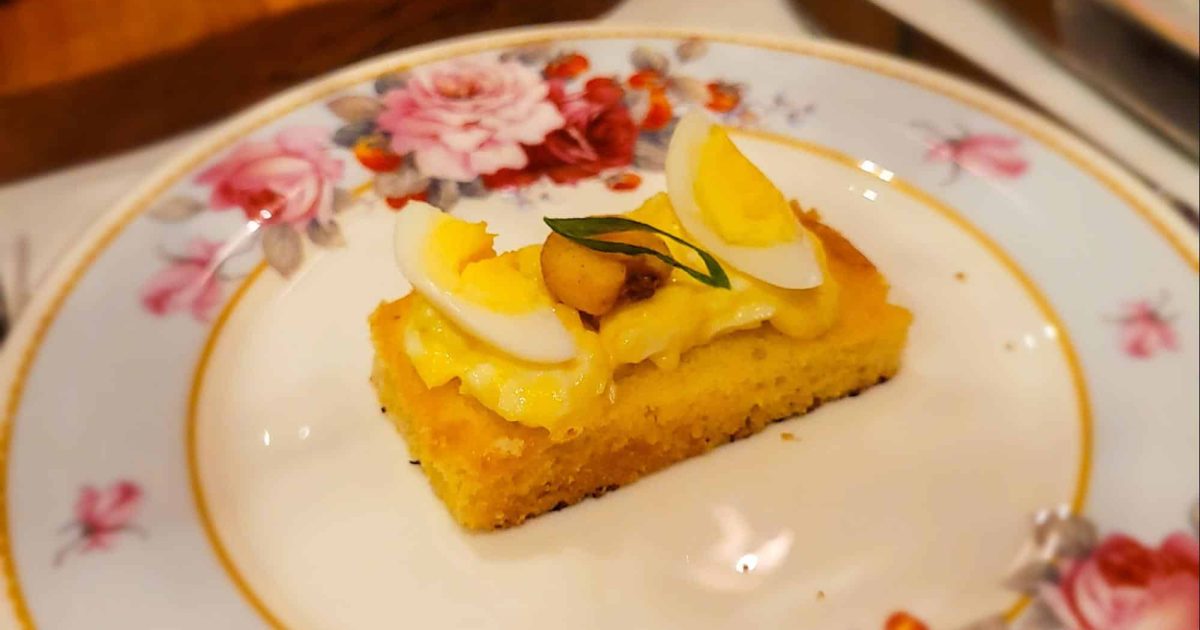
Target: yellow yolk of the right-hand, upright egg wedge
736,200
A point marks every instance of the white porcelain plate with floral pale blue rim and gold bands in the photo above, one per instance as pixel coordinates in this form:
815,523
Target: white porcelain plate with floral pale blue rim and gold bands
190,439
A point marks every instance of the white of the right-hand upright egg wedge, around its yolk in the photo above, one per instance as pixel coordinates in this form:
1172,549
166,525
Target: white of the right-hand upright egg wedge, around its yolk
790,266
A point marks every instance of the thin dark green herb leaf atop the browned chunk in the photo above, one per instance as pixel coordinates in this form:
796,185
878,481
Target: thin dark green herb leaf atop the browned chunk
583,230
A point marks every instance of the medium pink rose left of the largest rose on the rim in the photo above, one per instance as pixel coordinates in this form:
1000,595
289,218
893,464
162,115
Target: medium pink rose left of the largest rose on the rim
289,179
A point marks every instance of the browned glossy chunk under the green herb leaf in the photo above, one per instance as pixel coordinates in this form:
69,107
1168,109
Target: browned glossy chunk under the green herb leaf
597,283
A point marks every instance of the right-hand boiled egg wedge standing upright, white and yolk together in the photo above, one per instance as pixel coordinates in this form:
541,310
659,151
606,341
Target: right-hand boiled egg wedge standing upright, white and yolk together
731,209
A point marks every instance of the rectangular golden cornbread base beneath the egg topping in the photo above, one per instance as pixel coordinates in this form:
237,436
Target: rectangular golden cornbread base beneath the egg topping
493,473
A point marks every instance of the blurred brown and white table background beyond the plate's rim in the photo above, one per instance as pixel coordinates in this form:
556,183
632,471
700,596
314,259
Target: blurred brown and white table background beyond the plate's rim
94,94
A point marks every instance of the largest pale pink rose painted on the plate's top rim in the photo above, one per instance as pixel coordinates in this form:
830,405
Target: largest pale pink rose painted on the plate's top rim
467,118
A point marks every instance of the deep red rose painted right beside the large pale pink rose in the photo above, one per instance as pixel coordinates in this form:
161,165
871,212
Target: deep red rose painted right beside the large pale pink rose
599,135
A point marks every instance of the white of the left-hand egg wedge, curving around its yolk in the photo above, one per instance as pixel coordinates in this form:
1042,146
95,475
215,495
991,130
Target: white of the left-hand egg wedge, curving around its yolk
537,335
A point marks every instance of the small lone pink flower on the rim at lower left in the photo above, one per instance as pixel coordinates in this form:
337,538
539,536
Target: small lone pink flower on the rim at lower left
100,517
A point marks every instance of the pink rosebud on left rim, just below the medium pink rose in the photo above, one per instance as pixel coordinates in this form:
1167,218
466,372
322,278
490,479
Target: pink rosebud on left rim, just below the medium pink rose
189,283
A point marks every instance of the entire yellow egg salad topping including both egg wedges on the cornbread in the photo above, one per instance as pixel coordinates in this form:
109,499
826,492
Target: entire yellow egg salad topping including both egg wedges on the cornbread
537,334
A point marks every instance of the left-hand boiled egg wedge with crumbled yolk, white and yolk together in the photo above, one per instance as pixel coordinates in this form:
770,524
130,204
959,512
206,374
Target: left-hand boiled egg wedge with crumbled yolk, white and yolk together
451,262
